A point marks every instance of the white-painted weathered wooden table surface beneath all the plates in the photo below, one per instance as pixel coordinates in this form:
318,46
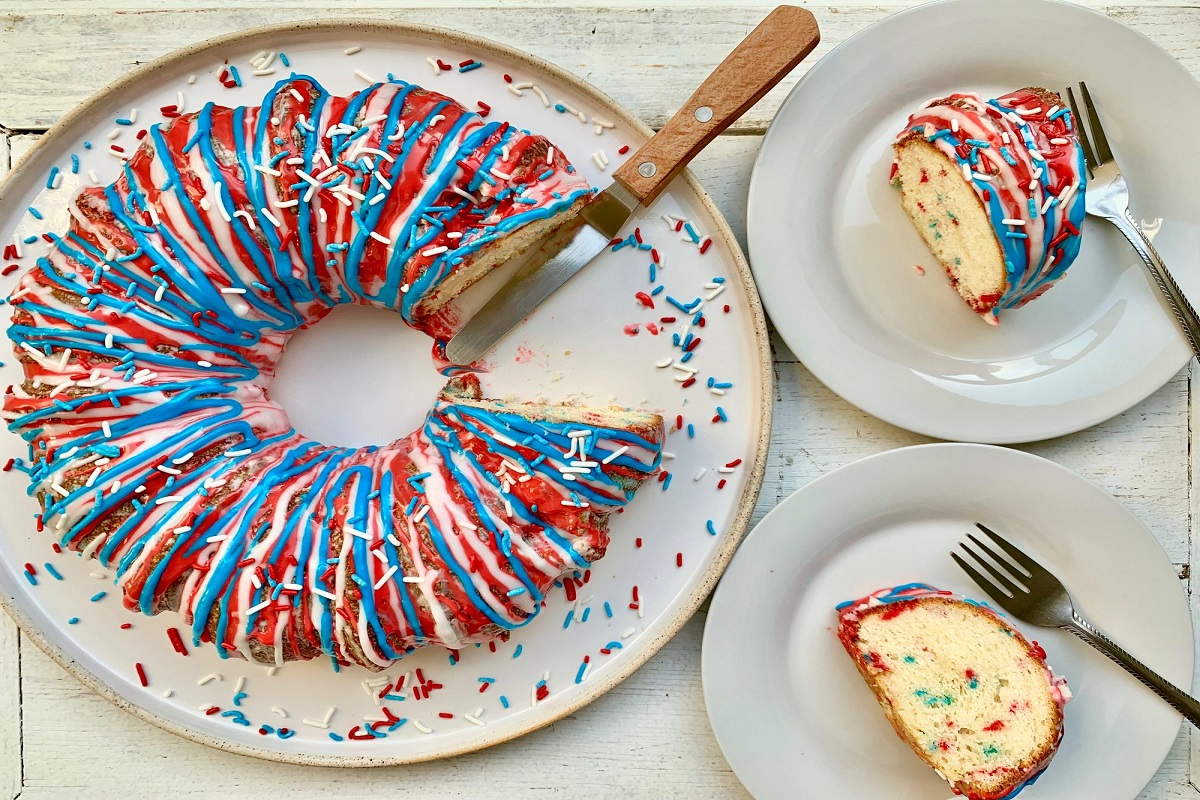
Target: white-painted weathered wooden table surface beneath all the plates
651,736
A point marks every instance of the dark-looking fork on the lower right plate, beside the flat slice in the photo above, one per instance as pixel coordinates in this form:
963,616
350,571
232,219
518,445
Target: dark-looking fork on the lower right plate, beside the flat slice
1039,598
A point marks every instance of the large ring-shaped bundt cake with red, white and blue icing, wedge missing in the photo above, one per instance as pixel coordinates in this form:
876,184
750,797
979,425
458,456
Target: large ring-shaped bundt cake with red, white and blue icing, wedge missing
149,338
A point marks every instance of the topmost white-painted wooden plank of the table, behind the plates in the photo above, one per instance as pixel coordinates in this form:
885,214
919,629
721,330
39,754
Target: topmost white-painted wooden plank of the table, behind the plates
52,61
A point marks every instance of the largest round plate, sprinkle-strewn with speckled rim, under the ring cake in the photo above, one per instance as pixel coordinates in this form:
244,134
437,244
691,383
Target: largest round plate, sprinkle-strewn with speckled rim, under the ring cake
593,342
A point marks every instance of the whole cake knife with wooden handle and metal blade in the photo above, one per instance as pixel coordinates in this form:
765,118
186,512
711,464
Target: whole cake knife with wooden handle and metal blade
761,61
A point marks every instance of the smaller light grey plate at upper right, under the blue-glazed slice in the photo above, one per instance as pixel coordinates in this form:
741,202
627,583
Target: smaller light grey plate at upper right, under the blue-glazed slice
836,263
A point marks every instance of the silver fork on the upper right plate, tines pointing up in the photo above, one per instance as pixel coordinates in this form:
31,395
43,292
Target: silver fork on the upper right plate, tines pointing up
1108,197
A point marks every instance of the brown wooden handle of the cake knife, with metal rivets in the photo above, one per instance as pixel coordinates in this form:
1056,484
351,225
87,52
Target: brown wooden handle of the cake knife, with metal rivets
751,71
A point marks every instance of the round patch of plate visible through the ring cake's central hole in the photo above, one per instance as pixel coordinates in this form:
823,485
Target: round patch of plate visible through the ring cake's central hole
359,377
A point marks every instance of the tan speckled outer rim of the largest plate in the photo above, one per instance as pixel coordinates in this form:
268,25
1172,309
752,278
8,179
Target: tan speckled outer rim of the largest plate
675,619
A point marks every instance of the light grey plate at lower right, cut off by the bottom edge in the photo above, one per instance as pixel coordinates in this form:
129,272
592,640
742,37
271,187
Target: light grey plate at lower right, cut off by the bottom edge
785,701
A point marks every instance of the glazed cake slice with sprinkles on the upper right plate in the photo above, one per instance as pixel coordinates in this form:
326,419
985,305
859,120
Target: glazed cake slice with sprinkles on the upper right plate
997,190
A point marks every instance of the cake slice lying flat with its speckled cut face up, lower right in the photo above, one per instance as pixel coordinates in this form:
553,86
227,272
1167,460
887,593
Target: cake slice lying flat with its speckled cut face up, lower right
971,696
